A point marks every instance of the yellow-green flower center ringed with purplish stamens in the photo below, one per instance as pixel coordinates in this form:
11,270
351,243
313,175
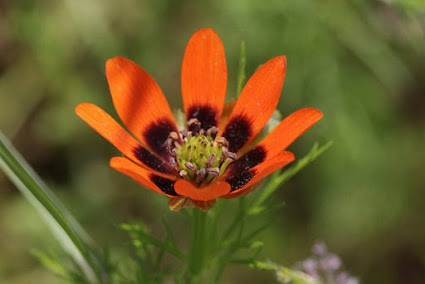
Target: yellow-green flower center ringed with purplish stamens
201,157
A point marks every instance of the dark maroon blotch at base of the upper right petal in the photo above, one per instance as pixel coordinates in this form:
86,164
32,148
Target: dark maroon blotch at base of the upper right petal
238,131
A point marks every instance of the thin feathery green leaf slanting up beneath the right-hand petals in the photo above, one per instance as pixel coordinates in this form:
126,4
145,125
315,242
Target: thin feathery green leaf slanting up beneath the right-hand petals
278,179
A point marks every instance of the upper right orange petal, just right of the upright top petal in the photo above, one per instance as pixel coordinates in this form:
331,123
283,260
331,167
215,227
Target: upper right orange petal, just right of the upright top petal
256,103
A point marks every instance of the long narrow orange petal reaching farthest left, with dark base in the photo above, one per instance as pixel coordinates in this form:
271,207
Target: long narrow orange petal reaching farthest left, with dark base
106,126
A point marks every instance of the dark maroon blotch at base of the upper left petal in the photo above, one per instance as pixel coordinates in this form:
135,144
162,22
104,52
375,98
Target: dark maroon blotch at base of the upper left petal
157,133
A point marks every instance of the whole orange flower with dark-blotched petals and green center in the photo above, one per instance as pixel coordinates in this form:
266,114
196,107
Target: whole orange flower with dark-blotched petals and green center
201,163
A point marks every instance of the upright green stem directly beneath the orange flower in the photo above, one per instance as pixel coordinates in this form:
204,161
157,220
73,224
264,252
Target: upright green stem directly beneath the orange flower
197,255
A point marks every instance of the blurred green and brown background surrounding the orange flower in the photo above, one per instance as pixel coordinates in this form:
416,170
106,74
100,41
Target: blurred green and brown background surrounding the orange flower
362,62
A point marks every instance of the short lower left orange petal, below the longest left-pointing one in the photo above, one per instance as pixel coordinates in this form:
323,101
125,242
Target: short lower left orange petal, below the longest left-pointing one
162,184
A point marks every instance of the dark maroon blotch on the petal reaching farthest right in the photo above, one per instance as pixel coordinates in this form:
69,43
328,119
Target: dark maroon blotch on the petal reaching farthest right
252,158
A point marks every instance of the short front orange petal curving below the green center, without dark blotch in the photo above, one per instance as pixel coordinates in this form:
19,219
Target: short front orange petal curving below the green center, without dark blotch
209,192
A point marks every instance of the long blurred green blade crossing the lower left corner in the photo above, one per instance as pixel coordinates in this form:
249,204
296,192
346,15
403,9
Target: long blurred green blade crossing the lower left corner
60,222
